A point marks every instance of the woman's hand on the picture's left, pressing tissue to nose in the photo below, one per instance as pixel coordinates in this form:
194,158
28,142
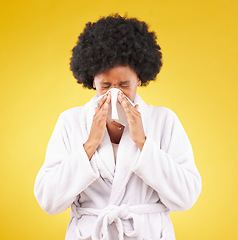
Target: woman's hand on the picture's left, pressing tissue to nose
98,126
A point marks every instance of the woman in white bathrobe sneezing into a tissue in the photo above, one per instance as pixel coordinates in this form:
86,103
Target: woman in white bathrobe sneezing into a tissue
121,180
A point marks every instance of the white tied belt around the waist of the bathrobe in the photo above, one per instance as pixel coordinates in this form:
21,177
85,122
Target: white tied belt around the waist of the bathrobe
120,215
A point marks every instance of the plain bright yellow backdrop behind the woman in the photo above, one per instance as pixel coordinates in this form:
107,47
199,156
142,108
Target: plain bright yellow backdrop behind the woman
198,82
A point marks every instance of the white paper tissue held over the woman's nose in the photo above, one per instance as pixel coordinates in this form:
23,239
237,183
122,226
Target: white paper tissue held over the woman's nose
116,112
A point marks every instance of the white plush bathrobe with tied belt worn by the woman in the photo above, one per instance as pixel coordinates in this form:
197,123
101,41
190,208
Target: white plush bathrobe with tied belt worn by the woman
131,199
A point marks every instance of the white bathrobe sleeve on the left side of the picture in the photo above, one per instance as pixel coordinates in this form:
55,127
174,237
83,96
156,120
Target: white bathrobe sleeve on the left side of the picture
65,173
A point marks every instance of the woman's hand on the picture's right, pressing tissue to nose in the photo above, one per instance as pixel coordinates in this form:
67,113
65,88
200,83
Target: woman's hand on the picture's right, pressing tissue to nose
134,120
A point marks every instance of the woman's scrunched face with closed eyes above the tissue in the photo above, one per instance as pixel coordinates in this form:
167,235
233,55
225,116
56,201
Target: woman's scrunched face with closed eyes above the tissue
121,77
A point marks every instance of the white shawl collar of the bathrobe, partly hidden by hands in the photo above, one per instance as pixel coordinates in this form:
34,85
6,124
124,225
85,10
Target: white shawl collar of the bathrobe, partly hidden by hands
127,153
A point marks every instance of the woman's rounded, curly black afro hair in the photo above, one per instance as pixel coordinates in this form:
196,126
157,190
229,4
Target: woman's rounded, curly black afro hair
112,41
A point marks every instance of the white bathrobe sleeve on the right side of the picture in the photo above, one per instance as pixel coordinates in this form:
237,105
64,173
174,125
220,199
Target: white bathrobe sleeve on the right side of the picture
168,166
